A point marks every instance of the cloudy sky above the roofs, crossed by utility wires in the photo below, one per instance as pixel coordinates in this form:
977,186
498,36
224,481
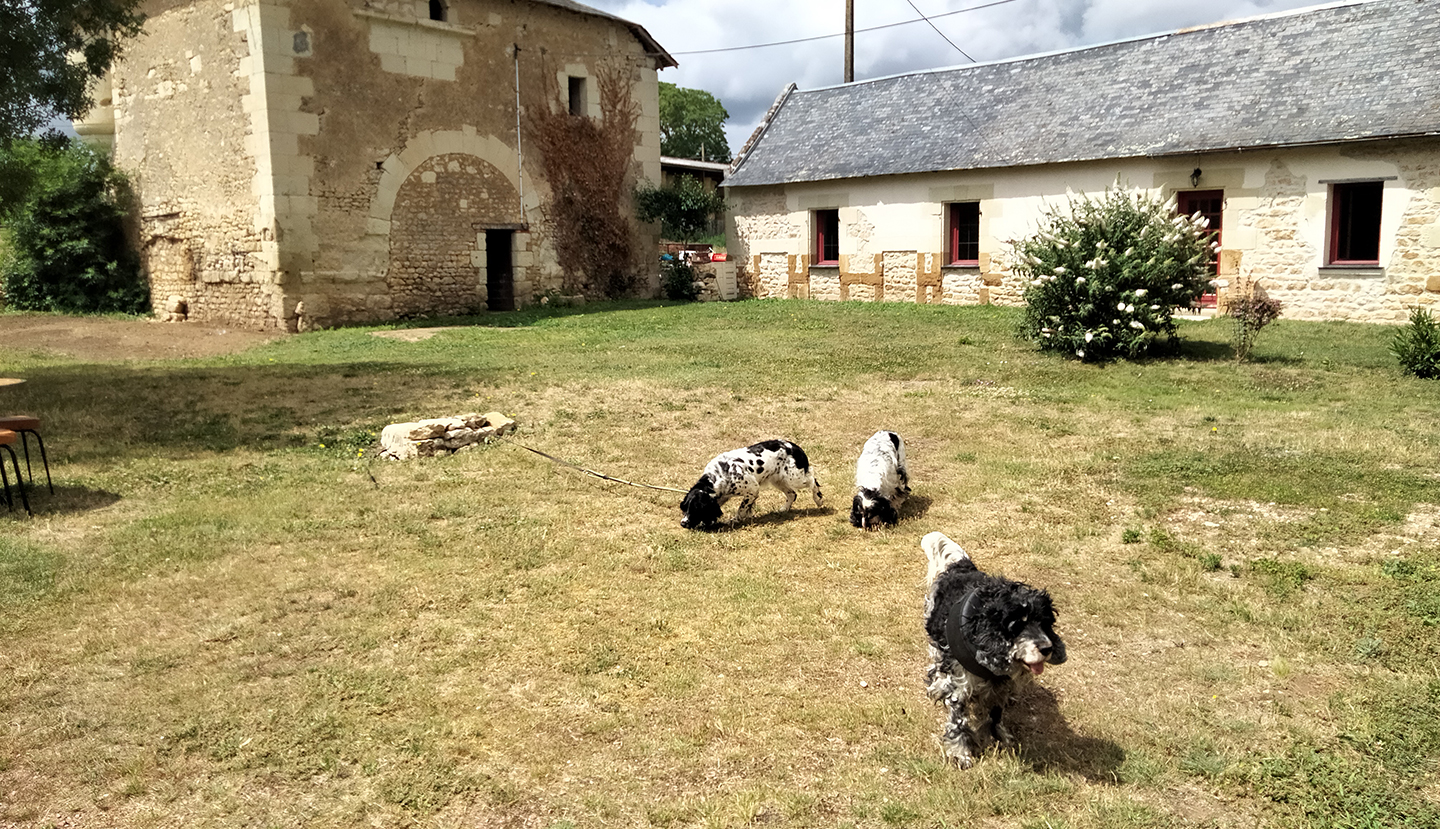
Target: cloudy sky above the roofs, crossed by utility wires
748,81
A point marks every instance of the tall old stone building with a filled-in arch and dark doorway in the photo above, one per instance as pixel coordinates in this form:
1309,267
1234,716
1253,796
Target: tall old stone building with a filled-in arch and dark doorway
307,163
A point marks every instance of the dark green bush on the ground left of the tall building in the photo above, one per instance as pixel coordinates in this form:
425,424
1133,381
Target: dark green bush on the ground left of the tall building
68,250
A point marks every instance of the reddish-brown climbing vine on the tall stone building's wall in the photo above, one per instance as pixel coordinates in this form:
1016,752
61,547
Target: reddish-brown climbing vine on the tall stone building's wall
590,168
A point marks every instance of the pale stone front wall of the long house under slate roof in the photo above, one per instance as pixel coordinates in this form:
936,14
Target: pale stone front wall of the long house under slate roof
1275,228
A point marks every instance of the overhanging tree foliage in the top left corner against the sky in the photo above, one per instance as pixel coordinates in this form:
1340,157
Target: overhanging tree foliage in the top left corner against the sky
50,53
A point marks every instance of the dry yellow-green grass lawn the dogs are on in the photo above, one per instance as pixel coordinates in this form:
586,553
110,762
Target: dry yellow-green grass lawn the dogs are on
231,615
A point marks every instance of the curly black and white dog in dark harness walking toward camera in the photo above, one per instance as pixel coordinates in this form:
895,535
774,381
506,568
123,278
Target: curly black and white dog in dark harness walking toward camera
987,635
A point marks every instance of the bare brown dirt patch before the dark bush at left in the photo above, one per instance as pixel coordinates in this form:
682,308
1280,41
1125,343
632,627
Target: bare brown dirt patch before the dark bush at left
114,339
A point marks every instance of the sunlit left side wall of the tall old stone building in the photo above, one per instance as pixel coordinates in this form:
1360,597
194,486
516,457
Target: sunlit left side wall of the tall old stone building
181,130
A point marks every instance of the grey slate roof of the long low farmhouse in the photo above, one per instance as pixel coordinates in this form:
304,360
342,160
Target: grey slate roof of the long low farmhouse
1341,73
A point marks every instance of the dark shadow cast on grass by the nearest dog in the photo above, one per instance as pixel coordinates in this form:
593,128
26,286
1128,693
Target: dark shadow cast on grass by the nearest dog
1049,743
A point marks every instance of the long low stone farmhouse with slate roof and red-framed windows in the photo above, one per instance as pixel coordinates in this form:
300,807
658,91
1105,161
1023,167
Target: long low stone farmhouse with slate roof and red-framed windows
1310,139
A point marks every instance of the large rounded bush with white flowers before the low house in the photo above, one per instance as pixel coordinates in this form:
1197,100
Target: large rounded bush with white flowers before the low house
1107,277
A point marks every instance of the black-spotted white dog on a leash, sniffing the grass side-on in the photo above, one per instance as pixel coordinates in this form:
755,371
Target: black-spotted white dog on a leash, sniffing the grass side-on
741,474
